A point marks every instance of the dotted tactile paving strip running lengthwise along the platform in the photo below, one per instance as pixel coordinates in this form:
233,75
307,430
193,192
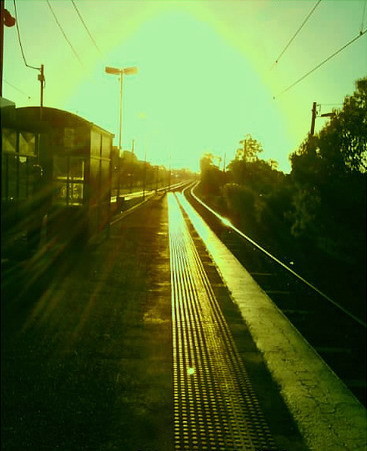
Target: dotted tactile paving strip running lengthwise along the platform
215,407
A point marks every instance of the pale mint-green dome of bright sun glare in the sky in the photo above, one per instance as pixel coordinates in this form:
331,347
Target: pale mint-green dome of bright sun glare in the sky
193,93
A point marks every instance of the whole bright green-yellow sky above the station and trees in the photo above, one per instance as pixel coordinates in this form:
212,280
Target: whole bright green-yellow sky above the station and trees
207,72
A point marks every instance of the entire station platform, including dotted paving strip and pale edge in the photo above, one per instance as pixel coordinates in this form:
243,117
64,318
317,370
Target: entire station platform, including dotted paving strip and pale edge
157,339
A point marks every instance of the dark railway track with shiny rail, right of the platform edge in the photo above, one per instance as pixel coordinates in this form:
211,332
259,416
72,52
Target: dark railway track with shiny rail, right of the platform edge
336,334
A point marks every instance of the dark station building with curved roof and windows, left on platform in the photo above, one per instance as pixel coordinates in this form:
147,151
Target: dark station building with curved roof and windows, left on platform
73,157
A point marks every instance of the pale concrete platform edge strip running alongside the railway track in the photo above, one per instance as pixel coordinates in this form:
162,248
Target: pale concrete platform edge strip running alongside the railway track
328,415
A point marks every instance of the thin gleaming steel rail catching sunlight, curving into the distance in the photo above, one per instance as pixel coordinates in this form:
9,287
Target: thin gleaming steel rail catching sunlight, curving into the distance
227,223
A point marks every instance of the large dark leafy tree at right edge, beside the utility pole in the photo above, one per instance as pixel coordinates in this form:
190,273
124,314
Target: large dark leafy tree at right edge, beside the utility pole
329,175
